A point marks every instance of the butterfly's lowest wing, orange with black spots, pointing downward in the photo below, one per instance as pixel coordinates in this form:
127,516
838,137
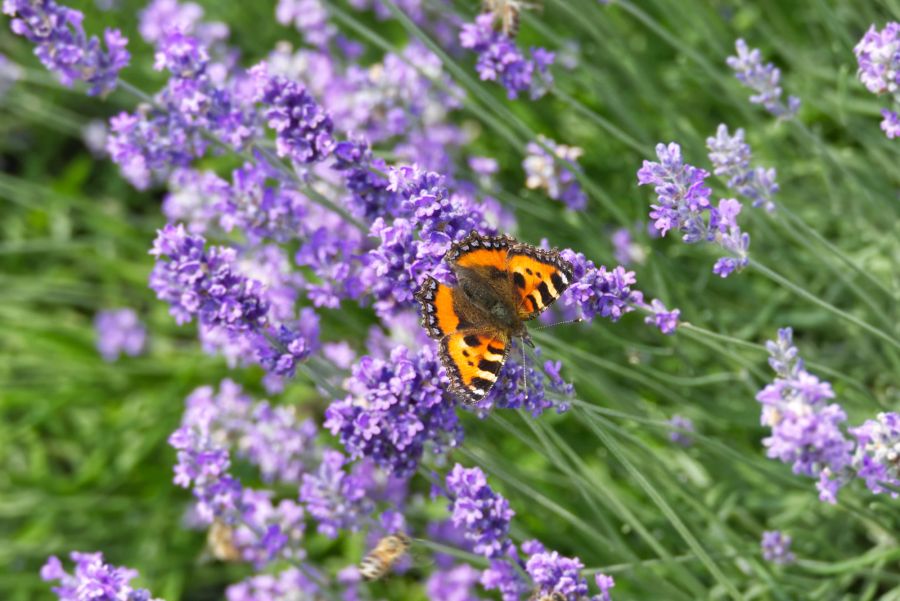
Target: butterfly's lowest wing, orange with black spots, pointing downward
473,359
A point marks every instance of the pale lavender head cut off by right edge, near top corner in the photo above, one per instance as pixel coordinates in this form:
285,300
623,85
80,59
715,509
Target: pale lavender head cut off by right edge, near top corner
878,55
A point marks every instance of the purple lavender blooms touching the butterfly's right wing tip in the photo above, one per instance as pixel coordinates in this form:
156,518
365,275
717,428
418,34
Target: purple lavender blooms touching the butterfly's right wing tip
598,291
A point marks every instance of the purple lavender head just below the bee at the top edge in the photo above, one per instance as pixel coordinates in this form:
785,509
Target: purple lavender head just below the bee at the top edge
500,60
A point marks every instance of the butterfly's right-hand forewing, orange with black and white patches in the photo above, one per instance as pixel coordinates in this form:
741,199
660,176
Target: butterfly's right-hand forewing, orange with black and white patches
539,277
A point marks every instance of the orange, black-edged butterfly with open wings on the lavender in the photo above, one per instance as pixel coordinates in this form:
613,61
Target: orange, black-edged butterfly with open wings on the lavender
501,284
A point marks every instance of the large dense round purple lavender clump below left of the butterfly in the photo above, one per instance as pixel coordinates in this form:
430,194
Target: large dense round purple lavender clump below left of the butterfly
395,409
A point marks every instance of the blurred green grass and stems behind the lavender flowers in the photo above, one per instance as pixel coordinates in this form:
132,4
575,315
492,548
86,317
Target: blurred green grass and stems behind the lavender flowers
83,460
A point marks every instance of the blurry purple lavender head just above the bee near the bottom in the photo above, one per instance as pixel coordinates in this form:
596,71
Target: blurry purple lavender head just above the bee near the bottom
338,499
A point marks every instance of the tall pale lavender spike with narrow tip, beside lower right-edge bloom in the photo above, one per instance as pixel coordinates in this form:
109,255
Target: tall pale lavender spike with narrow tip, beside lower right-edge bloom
805,428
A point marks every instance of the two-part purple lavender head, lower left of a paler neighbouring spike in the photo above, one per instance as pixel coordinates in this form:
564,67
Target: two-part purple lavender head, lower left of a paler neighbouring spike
683,204
